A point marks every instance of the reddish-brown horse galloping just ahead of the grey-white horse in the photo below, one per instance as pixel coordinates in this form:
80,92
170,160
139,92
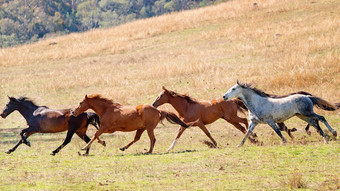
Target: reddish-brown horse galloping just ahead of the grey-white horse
203,112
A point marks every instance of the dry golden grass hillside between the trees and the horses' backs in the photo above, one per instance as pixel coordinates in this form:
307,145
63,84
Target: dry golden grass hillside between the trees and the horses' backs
281,46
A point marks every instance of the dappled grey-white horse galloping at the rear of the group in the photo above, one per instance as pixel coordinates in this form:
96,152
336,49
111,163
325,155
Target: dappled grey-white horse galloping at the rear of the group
264,108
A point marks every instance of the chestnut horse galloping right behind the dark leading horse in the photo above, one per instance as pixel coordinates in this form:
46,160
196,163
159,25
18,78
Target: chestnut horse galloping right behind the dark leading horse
115,117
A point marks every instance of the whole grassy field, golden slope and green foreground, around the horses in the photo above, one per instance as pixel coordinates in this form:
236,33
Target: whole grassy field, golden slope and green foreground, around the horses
280,46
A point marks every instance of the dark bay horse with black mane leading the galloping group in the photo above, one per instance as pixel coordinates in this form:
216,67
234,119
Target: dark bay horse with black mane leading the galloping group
41,119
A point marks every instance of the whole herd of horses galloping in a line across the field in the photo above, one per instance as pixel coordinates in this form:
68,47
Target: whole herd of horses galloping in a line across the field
110,116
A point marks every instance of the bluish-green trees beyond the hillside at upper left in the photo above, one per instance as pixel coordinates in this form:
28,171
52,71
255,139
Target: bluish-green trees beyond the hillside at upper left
23,21
